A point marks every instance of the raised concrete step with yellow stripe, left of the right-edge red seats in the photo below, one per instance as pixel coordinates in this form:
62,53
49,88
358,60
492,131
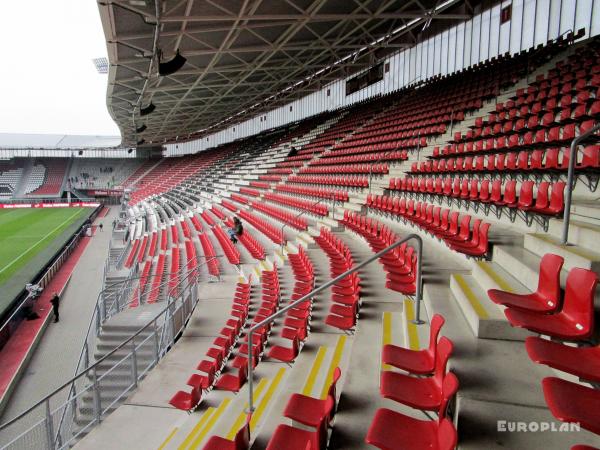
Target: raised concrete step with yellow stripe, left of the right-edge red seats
485,318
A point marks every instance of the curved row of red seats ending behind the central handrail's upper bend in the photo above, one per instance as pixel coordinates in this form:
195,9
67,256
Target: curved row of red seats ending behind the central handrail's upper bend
400,264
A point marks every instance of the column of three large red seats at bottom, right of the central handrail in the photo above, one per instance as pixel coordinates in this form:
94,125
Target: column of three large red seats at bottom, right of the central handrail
427,386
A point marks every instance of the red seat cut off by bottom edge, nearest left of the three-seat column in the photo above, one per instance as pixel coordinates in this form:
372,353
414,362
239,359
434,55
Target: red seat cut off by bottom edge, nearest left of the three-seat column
287,437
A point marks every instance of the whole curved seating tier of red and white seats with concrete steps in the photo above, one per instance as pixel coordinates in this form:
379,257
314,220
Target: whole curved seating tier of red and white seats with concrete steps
469,322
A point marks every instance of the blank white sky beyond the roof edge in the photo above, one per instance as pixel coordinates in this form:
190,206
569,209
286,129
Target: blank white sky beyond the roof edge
48,82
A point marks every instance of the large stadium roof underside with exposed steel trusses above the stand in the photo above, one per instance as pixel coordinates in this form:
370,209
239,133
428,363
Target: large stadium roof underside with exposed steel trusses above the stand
241,52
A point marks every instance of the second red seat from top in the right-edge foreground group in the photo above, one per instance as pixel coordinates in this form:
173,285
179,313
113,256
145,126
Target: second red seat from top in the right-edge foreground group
576,319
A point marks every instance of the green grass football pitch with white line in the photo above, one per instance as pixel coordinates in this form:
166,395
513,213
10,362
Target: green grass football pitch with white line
29,237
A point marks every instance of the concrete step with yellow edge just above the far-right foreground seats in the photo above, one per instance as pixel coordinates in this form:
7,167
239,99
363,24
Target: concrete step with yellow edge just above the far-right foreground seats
575,256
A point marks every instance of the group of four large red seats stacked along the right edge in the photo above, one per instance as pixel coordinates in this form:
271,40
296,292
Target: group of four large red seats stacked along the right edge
570,318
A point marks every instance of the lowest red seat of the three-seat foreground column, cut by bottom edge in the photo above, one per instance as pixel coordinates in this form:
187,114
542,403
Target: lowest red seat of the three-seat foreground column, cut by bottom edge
390,429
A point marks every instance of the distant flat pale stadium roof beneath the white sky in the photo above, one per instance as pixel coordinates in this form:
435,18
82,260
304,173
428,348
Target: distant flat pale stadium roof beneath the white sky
56,141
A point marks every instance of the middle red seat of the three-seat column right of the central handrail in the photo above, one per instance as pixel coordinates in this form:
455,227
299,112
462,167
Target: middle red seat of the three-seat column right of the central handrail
419,393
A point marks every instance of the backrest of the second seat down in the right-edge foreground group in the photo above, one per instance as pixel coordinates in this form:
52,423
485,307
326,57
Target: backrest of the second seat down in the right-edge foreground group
579,299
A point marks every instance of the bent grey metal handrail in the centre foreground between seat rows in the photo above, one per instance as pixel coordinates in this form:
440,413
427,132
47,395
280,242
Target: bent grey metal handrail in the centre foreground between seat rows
307,297
